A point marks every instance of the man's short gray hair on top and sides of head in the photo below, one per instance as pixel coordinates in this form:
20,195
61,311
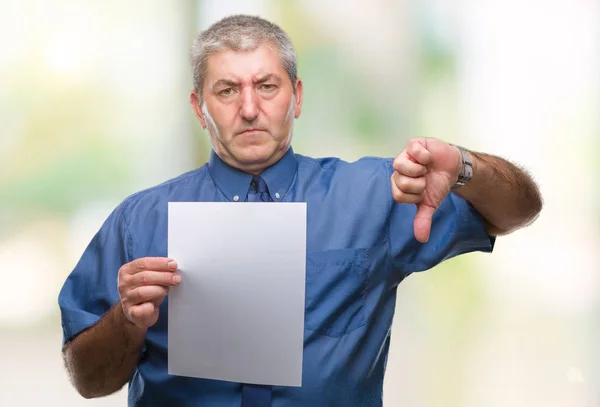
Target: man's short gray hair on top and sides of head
240,33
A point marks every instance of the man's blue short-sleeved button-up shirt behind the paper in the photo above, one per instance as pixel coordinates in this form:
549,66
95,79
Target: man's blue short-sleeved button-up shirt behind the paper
360,246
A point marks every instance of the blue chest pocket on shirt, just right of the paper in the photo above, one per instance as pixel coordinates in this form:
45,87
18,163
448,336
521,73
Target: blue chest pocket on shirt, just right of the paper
336,284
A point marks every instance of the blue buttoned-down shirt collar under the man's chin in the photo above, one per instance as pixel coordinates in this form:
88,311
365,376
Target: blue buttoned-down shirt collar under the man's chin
234,183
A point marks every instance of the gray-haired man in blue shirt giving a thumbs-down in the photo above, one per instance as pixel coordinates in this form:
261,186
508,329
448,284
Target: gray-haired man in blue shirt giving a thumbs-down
370,224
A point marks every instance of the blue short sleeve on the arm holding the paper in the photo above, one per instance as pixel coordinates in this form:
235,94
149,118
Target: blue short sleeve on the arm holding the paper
90,290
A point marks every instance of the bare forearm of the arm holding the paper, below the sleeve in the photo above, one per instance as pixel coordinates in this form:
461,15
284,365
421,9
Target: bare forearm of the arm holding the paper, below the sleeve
103,358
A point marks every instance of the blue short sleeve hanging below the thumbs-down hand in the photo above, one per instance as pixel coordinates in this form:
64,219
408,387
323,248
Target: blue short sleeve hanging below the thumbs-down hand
457,228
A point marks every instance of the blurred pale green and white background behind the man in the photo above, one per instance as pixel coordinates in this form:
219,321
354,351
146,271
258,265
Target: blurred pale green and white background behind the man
94,106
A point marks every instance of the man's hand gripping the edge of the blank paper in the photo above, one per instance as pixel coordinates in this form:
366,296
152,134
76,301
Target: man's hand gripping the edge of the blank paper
143,285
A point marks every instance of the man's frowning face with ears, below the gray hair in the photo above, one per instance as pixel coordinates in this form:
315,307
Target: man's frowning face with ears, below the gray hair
249,107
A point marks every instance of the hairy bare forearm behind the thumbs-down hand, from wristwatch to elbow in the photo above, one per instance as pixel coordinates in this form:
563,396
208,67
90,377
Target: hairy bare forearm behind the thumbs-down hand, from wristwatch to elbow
502,193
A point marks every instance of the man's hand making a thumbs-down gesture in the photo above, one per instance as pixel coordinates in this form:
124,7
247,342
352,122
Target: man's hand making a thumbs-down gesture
423,175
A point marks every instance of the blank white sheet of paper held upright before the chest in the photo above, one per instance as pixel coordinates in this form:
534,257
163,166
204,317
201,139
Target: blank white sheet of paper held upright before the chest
238,314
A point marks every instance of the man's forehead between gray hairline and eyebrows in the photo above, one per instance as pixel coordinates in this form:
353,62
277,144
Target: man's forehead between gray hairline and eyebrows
244,65
